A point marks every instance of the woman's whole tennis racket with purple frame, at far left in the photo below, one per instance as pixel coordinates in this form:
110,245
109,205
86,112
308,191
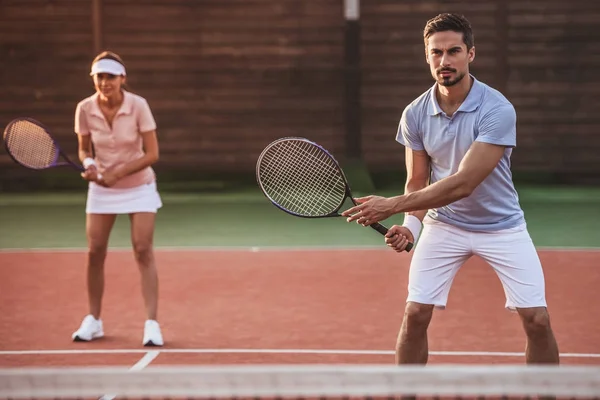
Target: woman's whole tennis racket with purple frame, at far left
30,144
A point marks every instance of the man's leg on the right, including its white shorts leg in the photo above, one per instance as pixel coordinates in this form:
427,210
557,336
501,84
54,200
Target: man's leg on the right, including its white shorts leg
513,256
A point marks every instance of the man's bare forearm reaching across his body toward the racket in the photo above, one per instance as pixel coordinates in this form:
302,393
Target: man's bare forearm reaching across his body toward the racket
439,194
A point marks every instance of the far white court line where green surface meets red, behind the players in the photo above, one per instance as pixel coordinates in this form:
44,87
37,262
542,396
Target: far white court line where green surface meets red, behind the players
254,249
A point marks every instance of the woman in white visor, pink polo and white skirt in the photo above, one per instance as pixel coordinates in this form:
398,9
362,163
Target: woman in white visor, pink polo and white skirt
122,130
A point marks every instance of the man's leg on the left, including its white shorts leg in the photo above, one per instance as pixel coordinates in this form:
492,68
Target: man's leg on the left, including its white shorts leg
441,251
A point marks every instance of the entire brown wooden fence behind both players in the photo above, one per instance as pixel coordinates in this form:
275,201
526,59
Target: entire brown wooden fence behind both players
225,77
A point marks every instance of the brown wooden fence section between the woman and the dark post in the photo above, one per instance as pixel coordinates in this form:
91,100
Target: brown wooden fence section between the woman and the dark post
247,72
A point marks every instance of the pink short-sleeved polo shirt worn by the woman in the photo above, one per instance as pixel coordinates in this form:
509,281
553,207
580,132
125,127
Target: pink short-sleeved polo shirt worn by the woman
122,143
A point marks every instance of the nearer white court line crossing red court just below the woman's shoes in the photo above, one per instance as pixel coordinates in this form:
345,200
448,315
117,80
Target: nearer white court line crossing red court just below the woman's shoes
276,351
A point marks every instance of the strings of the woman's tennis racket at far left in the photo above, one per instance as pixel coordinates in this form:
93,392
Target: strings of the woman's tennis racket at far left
30,145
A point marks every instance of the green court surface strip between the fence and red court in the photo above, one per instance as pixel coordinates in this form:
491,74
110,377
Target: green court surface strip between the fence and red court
556,216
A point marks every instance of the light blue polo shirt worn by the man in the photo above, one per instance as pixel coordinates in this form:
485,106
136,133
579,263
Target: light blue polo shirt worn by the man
485,116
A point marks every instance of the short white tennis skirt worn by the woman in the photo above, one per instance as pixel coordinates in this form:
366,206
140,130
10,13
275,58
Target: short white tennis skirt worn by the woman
103,200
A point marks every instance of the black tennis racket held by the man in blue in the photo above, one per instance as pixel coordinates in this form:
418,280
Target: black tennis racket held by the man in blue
303,179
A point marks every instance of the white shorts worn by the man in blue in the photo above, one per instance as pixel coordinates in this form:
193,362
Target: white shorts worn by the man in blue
442,249
